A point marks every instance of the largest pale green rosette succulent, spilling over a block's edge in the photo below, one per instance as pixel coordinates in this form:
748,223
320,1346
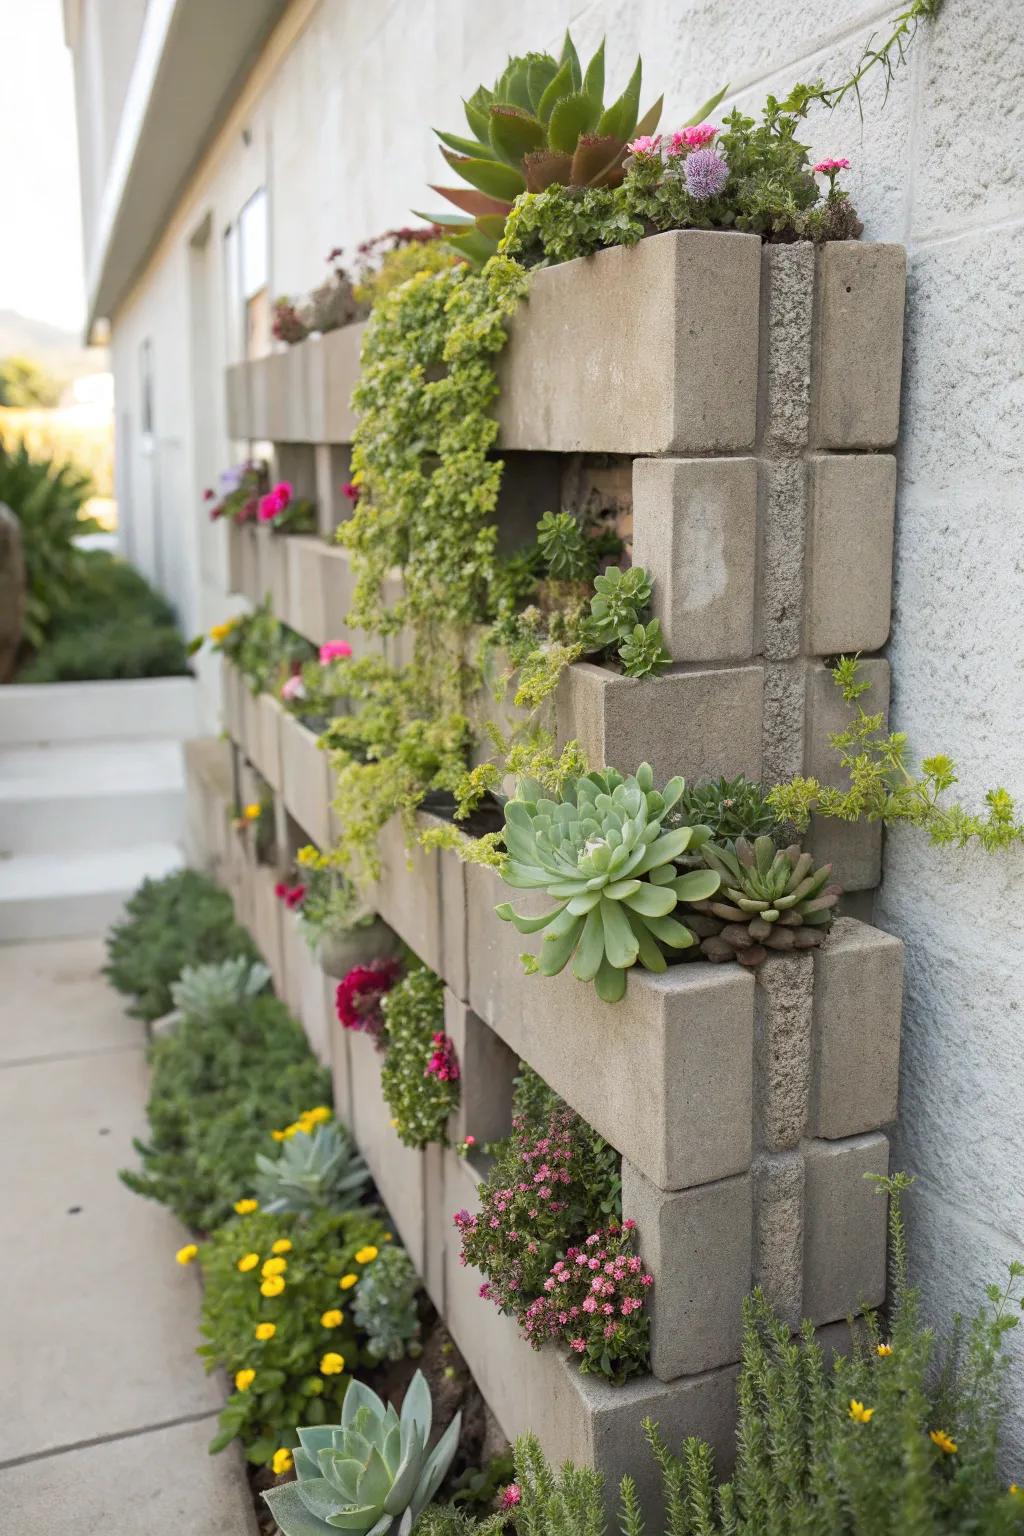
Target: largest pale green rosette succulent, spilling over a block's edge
603,853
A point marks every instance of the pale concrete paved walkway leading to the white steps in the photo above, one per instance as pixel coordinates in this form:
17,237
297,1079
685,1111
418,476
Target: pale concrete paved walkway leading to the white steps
105,1406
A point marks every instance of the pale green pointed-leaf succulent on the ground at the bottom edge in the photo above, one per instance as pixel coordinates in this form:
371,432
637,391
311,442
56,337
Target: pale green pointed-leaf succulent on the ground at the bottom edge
371,1474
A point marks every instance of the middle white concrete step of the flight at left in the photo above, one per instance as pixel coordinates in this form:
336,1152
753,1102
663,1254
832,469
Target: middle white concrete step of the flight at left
91,796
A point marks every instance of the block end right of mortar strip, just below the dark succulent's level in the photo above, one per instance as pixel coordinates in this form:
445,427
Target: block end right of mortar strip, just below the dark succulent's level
856,1053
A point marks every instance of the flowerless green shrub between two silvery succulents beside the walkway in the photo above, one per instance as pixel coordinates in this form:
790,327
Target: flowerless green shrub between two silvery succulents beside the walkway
219,1090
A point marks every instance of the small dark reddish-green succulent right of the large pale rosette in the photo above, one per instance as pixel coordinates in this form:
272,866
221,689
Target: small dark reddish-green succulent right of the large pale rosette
770,899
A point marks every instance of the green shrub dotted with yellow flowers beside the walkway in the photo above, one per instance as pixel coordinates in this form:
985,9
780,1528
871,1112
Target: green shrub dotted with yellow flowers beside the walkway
276,1320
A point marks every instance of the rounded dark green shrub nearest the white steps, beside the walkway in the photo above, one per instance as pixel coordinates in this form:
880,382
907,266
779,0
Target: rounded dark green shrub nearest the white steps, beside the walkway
182,921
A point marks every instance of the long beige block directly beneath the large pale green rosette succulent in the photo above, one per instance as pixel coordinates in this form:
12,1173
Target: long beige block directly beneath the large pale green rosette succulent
666,1076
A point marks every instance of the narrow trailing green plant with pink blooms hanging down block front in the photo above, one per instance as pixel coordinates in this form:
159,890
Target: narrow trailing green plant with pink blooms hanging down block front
420,1073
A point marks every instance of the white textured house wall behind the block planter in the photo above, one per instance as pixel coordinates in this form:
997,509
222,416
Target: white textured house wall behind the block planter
340,134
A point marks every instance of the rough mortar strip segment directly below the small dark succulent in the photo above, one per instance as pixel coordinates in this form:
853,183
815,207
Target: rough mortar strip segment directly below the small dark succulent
782,1050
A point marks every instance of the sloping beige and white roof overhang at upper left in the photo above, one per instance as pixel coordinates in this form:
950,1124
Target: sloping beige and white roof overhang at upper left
193,61
